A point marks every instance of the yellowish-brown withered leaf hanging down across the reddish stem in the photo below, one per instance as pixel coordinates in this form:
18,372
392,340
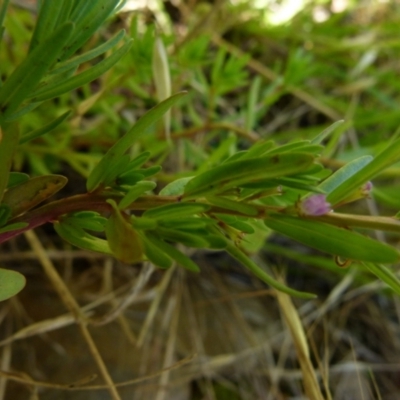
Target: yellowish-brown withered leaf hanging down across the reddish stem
123,240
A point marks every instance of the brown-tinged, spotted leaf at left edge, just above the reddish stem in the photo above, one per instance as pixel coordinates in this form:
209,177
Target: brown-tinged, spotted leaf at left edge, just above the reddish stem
29,194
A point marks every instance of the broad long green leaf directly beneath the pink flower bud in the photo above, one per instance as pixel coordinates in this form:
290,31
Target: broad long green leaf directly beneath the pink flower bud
333,240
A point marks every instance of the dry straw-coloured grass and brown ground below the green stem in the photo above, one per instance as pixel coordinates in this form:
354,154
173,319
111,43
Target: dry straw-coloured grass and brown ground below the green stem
90,328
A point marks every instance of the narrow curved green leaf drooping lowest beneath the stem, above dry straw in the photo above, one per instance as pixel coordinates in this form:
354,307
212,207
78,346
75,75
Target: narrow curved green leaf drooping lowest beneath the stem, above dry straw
261,274
